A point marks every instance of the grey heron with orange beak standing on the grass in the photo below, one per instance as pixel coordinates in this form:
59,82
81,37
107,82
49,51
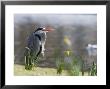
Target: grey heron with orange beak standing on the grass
35,45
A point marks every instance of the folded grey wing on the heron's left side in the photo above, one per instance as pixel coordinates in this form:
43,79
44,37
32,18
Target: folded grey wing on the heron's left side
34,44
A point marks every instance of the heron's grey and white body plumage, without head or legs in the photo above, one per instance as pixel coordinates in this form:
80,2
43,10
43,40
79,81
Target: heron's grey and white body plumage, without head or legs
35,42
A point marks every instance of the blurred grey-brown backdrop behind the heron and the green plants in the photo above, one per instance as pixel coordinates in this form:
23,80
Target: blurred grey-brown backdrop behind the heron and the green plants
73,33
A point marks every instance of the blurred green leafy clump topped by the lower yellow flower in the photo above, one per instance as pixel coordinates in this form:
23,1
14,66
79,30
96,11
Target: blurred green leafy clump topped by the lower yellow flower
73,64
